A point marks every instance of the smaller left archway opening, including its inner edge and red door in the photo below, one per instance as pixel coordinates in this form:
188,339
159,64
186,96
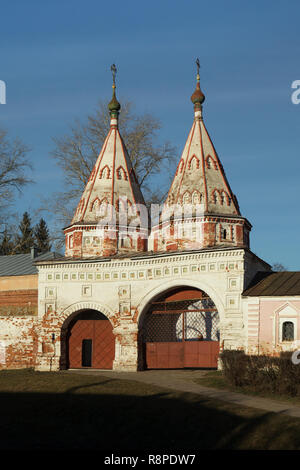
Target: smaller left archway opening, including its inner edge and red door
87,341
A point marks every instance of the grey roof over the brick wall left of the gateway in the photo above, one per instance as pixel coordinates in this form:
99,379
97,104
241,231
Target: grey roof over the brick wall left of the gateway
20,265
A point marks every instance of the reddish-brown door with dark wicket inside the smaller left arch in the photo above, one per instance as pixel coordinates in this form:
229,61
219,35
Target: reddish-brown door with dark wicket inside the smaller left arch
91,344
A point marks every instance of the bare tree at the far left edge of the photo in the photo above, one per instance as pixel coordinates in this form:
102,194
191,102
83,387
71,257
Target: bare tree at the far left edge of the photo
13,168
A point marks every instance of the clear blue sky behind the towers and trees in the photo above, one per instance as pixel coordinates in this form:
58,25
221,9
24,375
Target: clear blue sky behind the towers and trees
56,57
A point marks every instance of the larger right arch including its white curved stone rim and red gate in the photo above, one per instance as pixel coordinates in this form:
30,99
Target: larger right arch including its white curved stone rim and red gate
154,343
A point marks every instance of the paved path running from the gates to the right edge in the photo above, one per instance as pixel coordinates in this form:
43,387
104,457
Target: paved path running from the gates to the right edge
183,381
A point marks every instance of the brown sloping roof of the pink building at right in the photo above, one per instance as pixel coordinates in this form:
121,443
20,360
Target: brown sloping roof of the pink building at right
274,284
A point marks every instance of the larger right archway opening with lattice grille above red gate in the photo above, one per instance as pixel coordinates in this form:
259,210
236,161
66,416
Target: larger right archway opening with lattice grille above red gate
179,329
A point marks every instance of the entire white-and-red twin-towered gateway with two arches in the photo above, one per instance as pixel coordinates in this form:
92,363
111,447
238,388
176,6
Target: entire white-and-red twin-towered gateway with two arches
133,294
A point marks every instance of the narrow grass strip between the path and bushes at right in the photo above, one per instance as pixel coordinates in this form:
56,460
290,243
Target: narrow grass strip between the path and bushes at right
216,379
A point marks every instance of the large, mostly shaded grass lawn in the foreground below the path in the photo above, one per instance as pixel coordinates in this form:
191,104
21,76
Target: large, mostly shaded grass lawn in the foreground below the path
64,410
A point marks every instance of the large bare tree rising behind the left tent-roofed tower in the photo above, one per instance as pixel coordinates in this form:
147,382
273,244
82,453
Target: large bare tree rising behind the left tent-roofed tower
76,153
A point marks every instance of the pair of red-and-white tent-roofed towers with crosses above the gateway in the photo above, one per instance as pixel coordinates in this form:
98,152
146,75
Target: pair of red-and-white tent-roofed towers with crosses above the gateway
200,210
